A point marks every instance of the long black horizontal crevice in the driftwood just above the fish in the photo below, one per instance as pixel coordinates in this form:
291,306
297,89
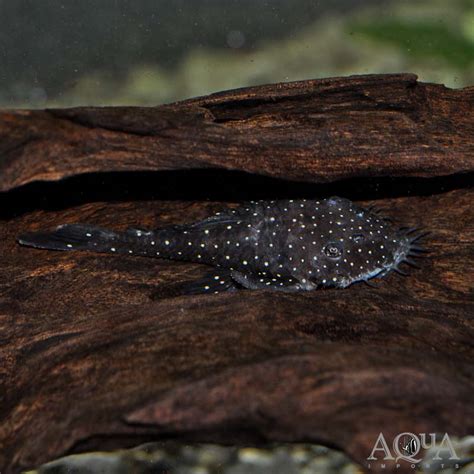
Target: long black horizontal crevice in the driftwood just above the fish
210,185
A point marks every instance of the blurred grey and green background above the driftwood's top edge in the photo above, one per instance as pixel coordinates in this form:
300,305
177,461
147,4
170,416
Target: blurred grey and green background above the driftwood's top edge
147,52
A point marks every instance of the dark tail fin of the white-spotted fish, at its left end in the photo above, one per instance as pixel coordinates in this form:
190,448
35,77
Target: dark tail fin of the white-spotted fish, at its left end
74,237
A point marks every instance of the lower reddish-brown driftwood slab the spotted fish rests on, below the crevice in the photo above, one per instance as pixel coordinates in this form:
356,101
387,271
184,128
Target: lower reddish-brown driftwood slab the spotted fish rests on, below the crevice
100,351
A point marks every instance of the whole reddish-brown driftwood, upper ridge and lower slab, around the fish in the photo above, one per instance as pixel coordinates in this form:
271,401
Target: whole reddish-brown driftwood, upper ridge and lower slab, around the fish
101,351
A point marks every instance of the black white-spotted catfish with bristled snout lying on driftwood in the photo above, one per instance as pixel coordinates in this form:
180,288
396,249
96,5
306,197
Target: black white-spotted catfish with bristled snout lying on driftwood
283,245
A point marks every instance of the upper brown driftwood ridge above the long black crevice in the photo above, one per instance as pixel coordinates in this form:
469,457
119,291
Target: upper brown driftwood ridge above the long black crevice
316,130
